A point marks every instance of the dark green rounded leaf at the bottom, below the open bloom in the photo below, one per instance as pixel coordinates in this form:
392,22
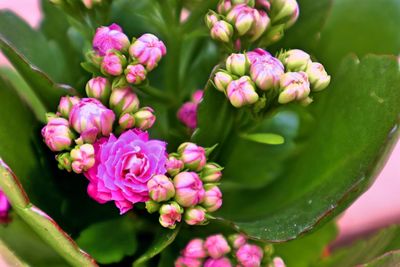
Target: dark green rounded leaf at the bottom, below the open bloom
110,241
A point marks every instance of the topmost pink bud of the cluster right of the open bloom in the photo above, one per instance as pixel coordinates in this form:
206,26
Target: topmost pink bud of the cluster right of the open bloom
193,156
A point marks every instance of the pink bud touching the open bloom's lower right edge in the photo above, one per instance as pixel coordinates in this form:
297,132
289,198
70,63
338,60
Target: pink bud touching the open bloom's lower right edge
160,188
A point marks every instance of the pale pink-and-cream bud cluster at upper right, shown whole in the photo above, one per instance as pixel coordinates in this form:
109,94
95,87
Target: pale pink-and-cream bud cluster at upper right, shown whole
251,77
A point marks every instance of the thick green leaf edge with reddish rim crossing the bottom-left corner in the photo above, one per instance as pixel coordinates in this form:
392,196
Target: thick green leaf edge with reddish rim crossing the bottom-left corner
40,222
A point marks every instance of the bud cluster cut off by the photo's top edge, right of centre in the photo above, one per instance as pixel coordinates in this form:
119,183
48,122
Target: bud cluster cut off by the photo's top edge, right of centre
250,20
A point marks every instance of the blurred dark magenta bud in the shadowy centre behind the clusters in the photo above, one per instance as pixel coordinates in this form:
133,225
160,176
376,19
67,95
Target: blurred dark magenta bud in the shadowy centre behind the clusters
187,114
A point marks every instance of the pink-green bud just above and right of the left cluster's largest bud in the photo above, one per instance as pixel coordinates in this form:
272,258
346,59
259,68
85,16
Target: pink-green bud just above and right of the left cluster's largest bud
123,100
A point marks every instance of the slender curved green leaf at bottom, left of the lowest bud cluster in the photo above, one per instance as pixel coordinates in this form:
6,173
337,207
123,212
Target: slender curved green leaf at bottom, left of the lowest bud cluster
163,240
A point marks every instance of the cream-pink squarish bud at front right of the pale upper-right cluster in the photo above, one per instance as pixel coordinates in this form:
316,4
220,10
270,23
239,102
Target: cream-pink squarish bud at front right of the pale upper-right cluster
294,86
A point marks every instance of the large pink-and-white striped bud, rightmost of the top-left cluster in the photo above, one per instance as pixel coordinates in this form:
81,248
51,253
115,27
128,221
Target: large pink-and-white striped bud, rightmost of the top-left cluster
148,50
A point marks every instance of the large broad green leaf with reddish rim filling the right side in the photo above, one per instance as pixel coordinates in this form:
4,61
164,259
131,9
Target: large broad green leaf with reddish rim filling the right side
356,124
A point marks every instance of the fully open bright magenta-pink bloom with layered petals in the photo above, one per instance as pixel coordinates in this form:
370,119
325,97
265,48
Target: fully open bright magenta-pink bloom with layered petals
123,167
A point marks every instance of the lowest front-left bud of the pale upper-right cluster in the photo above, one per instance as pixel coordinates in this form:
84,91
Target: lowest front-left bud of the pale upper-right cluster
242,92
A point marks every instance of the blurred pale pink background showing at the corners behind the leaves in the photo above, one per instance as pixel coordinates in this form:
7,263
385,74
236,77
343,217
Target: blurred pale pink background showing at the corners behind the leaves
378,207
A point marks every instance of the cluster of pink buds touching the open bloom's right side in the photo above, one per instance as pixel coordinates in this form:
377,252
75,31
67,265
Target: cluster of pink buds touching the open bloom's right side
189,190
